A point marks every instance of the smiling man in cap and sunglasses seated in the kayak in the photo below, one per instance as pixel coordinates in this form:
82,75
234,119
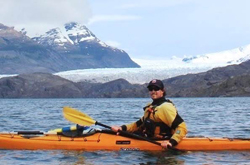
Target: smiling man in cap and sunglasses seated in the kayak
160,120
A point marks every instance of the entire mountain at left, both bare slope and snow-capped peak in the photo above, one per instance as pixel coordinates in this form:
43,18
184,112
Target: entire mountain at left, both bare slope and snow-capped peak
55,52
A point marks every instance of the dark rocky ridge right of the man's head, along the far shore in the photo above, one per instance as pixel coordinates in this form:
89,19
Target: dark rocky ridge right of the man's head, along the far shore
210,83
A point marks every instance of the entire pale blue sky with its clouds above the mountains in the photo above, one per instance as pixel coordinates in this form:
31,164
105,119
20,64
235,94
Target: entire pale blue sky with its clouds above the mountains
145,29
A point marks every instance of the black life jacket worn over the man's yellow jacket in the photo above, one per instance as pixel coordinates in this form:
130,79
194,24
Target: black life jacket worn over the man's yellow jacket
155,129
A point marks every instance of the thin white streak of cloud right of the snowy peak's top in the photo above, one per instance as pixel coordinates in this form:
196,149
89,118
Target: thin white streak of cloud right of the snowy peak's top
100,18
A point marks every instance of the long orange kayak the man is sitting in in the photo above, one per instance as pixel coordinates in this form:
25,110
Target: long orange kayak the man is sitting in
101,140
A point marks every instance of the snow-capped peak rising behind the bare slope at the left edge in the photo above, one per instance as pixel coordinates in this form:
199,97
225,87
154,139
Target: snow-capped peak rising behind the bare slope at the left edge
84,49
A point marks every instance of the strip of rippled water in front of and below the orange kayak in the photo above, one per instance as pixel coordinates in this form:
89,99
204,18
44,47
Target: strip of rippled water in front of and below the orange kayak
123,157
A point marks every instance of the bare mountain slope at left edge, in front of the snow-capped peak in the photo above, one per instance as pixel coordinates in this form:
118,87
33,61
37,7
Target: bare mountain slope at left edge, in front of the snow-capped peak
20,54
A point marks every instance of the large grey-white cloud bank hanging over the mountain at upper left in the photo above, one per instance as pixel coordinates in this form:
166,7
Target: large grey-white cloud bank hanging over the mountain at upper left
40,14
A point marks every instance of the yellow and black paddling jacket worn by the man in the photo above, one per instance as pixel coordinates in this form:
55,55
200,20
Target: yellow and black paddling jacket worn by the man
163,114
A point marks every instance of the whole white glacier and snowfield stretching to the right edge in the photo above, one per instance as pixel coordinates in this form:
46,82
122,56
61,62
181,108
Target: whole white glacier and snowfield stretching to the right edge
161,69
